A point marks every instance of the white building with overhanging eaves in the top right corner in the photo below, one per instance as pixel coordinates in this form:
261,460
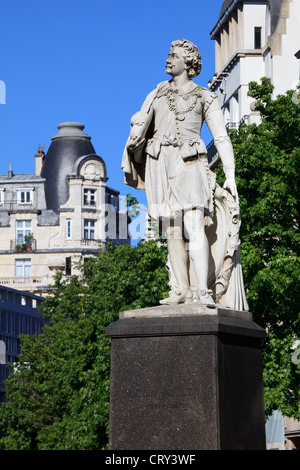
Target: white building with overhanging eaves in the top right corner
254,39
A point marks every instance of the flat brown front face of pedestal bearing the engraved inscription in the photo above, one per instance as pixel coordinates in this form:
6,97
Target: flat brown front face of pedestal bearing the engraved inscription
168,389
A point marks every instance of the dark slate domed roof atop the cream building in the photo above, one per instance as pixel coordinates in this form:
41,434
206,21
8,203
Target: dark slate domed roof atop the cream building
66,147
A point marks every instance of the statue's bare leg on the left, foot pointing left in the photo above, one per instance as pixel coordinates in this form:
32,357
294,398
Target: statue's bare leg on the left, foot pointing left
179,263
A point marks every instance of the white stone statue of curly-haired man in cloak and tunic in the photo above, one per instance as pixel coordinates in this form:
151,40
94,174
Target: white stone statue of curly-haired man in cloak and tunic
165,156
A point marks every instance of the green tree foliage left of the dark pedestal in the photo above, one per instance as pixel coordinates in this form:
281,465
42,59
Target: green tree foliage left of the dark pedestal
59,398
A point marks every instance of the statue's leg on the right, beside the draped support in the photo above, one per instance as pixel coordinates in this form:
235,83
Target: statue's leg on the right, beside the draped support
199,252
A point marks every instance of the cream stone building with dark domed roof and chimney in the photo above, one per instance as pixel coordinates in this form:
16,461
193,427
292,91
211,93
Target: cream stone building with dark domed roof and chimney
58,216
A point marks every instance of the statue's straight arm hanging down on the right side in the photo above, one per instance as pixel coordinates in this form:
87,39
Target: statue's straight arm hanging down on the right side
215,121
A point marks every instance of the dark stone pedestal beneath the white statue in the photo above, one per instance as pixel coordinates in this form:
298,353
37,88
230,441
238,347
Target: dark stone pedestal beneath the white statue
186,378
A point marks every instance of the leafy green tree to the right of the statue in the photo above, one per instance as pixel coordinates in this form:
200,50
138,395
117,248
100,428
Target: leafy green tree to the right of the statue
267,173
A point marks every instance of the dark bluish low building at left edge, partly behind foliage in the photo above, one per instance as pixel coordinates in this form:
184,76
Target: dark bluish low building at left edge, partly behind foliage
18,315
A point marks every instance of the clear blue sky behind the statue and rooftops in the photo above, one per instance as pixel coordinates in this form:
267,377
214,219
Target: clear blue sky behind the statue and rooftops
93,62
